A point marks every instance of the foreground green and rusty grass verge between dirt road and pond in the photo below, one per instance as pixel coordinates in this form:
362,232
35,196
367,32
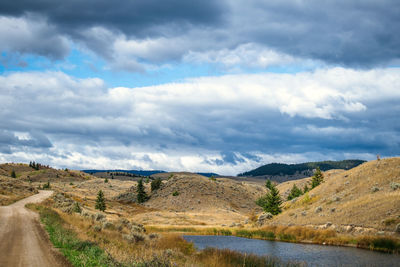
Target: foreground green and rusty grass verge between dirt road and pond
167,250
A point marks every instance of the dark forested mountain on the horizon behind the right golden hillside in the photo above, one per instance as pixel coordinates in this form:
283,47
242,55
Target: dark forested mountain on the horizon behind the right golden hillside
296,171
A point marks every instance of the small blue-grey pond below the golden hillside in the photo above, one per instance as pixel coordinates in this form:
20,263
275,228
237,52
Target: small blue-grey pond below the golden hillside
312,255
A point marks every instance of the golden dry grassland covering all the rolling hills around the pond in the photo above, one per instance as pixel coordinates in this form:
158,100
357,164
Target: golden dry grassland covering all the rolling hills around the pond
354,207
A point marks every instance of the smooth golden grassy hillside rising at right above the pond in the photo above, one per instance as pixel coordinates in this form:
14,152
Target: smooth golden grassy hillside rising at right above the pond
363,198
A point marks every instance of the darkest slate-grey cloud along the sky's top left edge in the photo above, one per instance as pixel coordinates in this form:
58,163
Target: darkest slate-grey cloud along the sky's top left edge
140,18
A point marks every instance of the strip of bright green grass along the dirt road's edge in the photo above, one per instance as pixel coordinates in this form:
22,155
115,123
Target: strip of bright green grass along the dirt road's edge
78,252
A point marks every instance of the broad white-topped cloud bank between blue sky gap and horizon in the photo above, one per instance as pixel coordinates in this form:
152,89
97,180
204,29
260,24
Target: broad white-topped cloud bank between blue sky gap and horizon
224,124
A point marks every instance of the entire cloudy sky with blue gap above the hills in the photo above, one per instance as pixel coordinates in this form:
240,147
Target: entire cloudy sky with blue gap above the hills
204,86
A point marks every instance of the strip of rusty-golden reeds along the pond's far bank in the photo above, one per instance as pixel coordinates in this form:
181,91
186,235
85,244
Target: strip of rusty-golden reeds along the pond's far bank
296,234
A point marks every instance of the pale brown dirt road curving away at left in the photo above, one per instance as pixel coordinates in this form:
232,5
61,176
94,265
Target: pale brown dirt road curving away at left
23,242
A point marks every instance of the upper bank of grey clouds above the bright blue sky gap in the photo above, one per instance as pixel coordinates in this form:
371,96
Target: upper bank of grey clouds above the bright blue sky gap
140,35
